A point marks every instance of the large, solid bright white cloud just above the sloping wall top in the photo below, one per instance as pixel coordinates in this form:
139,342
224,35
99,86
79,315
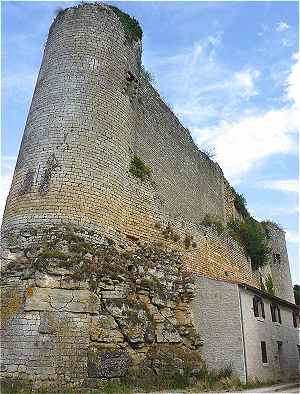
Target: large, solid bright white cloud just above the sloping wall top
242,145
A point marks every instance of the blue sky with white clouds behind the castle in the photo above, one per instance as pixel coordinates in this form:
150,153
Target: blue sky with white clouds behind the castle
229,70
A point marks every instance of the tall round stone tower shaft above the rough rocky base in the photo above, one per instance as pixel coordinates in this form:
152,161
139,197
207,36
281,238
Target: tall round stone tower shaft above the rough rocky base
75,152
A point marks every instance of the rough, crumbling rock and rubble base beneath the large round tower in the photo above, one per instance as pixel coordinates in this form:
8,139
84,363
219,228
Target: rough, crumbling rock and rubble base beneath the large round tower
76,310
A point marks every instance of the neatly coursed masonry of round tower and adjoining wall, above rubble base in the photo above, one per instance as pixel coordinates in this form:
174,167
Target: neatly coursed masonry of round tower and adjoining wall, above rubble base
91,111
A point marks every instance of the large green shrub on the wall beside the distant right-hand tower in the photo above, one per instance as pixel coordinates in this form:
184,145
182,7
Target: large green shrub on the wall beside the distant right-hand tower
251,235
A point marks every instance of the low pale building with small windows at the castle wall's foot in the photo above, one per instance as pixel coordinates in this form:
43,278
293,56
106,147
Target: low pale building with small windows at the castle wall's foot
254,331
